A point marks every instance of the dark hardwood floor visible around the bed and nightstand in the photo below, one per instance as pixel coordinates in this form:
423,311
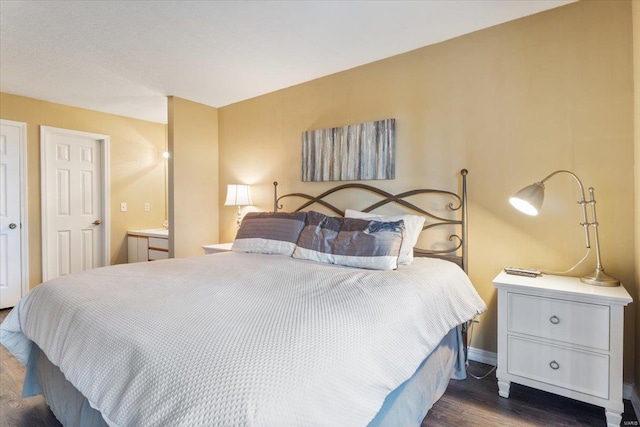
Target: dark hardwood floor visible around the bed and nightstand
466,403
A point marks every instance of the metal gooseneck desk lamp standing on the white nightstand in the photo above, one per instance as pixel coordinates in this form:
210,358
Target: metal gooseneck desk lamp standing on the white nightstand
529,201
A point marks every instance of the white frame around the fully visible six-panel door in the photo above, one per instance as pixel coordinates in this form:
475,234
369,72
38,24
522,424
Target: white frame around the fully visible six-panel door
105,187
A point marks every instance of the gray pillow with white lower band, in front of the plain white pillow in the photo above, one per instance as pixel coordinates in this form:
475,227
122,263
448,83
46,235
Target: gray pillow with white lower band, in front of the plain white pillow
352,242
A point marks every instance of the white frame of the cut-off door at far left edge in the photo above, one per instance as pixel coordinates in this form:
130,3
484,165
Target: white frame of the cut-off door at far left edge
24,213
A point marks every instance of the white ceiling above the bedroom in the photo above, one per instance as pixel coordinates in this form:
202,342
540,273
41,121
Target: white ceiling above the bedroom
125,57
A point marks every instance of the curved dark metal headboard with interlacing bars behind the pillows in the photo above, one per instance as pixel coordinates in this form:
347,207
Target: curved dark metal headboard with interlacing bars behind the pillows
459,204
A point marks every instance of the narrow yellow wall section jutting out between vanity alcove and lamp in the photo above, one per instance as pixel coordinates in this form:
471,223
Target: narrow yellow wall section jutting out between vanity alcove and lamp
193,177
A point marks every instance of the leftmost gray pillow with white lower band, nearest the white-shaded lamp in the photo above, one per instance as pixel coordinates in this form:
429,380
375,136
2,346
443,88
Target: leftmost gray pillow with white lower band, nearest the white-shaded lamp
269,232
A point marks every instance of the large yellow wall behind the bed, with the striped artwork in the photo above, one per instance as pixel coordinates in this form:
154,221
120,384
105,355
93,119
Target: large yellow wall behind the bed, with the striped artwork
510,103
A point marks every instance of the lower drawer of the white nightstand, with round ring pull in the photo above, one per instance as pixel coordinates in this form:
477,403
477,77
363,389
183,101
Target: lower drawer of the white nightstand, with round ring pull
572,369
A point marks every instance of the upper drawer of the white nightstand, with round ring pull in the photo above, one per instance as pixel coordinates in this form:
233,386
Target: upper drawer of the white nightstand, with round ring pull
561,320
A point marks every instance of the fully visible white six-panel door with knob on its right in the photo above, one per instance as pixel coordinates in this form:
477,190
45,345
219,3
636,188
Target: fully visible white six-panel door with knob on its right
73,202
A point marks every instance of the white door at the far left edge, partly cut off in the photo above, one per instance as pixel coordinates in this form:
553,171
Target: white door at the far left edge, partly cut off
11,219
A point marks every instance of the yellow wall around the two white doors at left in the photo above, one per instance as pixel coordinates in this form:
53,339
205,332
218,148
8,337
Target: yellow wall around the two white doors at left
137,168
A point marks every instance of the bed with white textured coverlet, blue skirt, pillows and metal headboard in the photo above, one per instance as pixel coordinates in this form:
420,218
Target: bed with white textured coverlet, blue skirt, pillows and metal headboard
280,333
